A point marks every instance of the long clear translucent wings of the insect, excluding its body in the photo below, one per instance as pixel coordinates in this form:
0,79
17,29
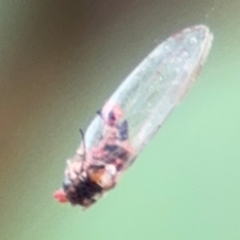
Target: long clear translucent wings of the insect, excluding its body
154,88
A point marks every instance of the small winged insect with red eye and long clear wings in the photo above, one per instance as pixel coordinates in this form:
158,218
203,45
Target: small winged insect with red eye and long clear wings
132,115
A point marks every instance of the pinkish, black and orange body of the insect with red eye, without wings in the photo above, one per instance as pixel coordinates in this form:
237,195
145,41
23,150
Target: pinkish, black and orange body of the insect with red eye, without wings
94,171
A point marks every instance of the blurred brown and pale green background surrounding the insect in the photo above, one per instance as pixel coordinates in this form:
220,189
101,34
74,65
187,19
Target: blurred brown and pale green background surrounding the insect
59,62
